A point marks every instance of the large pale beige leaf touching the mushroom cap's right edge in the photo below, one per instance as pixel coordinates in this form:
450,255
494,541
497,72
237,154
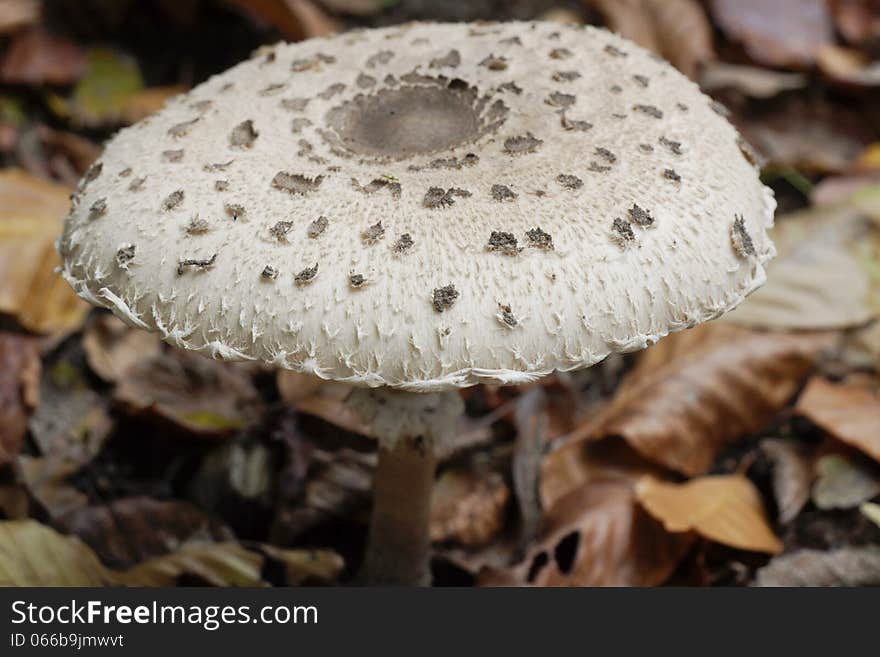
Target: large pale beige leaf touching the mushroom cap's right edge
822,277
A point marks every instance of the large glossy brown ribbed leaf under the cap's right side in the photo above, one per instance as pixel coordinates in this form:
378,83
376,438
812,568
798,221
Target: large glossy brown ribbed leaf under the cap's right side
698,390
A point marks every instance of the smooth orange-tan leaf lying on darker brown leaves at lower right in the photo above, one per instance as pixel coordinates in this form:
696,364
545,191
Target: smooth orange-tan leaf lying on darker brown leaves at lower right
726,509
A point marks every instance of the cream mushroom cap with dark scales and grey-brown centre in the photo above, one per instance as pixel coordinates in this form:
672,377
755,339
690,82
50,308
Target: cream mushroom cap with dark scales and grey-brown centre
426,206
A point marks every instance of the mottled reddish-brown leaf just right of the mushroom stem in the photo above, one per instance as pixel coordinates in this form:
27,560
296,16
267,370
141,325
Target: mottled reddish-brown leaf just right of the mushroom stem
468,507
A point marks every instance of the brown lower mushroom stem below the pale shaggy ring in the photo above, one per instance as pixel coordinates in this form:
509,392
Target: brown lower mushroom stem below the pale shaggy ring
398,552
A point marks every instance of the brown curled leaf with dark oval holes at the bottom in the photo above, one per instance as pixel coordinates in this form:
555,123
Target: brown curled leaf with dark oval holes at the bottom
596,535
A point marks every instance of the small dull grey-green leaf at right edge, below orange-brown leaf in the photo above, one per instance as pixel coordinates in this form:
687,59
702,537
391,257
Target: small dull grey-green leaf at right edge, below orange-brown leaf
844,483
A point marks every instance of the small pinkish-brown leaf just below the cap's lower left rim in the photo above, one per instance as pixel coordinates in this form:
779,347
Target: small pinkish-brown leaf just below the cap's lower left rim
112,347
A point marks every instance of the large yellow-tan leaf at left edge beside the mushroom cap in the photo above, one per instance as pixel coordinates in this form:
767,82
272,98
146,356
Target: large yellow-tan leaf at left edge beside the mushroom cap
31,214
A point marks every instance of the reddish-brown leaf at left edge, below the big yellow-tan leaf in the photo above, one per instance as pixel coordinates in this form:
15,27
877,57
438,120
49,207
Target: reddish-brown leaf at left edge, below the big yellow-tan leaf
19,365
